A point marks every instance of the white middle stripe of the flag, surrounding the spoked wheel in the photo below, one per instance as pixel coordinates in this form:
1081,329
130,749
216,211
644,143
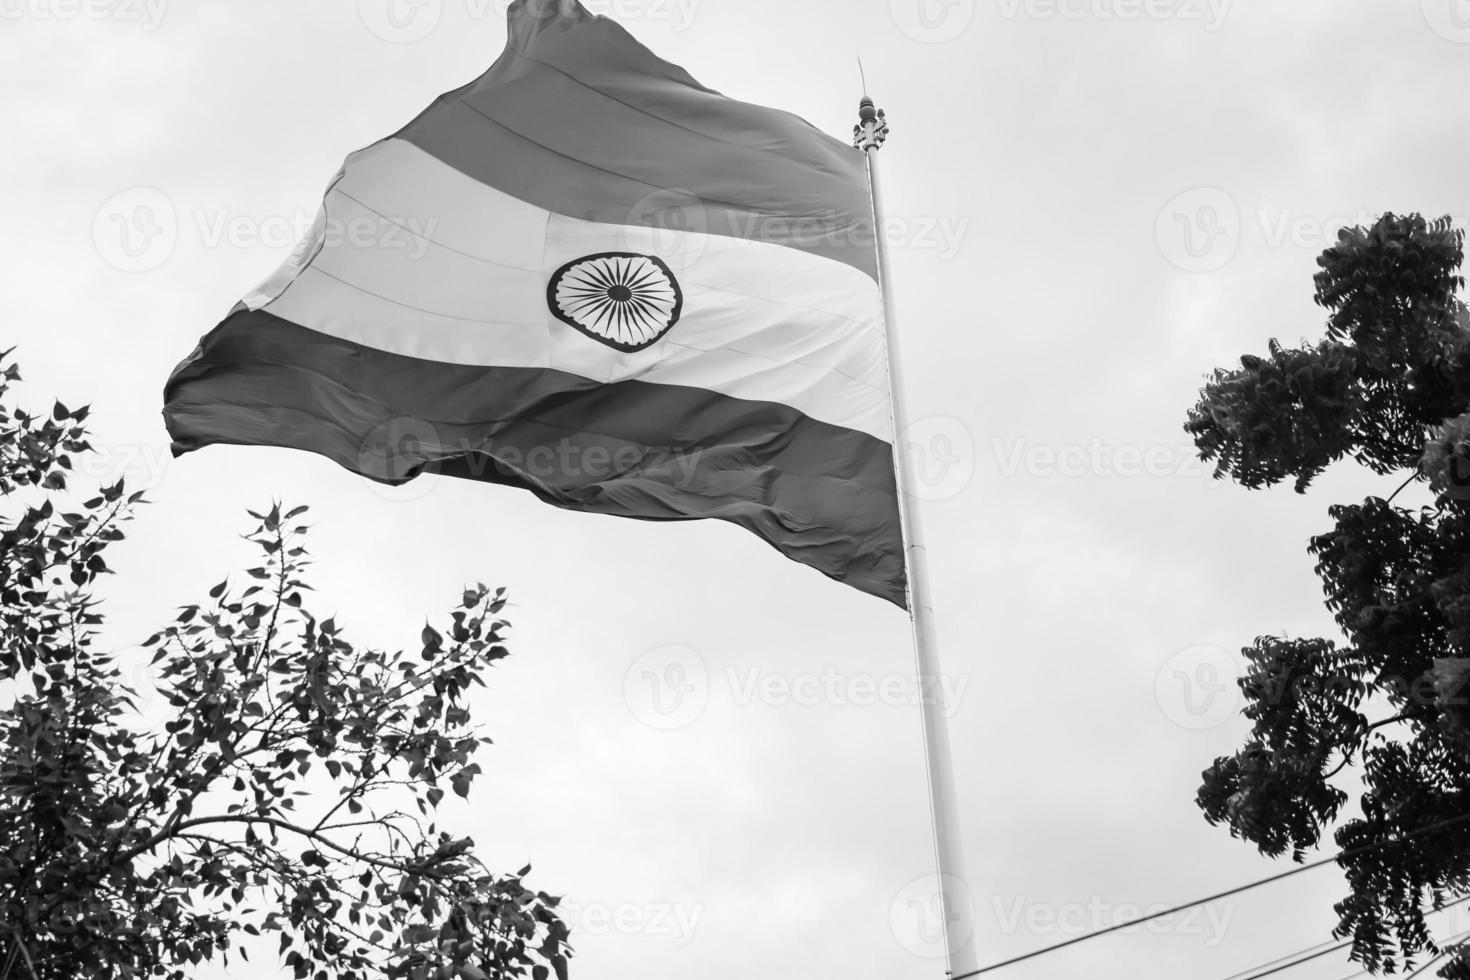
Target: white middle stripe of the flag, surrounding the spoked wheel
417,259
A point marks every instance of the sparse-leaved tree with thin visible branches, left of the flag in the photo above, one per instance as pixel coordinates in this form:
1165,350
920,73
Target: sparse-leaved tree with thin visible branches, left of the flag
292,790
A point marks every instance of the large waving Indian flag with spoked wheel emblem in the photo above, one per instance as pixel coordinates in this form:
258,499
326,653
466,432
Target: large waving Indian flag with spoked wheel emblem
593,278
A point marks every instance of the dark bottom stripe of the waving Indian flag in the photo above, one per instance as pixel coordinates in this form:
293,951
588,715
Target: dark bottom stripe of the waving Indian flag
821,494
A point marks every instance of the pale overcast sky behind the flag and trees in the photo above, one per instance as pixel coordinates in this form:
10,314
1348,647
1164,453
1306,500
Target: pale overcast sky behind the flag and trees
1093,202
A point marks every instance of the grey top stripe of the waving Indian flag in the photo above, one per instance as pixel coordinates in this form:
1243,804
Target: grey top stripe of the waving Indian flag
581,120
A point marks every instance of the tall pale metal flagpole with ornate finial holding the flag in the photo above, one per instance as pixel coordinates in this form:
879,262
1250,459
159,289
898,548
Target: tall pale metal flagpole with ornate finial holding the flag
958,903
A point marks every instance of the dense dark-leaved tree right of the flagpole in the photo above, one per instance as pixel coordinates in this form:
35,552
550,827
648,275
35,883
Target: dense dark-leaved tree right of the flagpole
1390,389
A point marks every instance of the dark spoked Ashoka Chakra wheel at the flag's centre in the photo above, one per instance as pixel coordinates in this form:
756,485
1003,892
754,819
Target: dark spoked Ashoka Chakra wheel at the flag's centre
620,299
